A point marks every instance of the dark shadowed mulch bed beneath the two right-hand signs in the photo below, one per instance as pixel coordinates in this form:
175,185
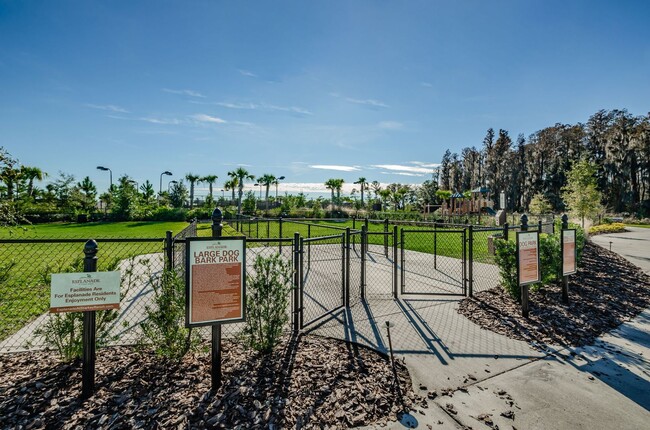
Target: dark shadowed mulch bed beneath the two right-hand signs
607,291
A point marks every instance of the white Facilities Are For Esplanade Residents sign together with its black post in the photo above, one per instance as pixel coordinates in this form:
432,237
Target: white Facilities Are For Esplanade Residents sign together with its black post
86,292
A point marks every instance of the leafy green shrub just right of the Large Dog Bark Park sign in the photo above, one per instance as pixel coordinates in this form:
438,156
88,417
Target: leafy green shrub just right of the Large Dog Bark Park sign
267,301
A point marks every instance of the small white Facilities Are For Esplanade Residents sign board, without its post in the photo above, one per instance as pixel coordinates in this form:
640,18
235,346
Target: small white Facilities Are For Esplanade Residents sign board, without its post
86,291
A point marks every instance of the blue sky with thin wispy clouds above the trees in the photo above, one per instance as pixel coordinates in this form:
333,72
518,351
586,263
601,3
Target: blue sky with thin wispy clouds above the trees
306,89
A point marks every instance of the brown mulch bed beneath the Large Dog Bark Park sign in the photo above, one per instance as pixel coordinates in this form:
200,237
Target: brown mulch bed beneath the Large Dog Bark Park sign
307,382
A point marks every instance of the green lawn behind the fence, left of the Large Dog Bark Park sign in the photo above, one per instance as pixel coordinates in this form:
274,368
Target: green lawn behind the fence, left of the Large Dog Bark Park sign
25,268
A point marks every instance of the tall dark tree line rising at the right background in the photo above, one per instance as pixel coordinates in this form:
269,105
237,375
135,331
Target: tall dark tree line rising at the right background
615,141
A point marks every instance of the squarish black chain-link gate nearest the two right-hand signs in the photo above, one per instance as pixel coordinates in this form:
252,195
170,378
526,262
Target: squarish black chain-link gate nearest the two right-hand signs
433,262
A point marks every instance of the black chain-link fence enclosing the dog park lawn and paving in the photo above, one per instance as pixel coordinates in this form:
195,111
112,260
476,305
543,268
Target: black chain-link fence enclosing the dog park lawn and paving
335,266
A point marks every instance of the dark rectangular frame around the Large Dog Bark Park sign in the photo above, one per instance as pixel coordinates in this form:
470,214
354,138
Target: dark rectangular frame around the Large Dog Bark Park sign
240,243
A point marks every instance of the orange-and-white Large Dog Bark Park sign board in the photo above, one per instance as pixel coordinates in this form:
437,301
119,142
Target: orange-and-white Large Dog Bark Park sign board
215,281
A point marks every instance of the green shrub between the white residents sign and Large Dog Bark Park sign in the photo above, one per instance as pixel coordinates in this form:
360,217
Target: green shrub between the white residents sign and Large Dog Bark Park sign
164,327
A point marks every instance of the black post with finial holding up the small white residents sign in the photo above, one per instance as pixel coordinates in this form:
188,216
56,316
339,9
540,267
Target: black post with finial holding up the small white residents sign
88,370
